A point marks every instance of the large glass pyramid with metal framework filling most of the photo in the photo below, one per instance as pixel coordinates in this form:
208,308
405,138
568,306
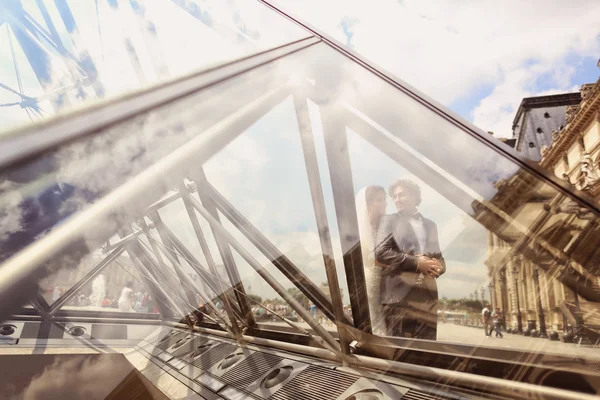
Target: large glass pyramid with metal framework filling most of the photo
227,189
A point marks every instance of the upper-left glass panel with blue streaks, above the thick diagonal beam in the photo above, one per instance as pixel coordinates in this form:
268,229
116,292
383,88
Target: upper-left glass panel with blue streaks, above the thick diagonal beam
103,49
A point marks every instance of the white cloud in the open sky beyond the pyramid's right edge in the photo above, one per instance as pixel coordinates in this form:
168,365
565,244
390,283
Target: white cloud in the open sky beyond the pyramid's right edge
450,48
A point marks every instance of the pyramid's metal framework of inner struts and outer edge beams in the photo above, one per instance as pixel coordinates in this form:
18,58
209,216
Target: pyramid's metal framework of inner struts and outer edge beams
106,115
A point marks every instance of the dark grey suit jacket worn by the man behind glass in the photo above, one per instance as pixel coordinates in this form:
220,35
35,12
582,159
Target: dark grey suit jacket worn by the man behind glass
396,250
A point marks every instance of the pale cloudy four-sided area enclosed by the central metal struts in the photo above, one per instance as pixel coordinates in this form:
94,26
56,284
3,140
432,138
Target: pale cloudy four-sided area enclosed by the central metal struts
262,173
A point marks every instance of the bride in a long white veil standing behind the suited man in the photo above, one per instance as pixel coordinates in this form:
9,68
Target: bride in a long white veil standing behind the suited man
370,207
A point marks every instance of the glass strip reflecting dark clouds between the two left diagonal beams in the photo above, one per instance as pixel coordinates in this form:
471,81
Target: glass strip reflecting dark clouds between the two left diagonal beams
44,192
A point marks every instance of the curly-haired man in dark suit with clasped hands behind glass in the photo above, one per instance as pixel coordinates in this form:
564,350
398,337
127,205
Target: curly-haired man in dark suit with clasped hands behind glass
409,253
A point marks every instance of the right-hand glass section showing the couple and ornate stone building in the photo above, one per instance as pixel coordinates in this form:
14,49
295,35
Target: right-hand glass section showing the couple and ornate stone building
500,230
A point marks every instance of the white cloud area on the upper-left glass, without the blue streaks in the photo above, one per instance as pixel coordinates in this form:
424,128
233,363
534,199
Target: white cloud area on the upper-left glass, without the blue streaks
183,37
